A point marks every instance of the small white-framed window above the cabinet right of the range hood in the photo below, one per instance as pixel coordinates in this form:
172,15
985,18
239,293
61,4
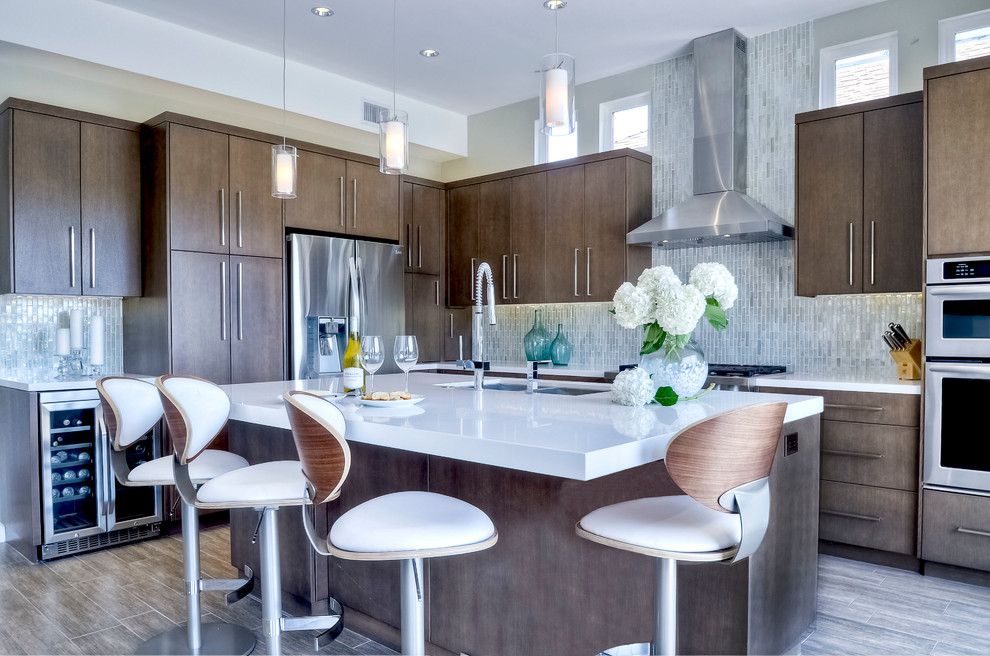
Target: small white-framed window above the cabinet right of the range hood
857,71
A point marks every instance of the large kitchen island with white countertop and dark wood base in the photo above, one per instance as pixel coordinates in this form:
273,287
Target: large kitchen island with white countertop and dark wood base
536,464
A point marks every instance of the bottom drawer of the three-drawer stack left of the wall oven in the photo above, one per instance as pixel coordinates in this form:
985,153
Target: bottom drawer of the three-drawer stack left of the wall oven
868,516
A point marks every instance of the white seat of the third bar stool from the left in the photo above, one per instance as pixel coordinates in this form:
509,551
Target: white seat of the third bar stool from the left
415,522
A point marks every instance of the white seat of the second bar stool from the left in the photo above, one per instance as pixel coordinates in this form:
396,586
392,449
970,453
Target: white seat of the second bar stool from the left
276,483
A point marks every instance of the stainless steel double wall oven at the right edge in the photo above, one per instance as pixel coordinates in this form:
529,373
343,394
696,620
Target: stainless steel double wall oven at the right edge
957,374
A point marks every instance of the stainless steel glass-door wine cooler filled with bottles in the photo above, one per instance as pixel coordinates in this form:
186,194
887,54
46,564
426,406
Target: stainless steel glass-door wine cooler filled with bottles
83,506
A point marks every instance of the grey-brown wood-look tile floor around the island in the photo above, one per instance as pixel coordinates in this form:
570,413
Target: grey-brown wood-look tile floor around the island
108,602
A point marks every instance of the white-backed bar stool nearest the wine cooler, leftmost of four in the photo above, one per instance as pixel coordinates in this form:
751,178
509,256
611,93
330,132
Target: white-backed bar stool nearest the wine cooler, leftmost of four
131,408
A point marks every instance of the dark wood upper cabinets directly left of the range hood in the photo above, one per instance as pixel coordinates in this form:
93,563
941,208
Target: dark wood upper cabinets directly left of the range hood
553,233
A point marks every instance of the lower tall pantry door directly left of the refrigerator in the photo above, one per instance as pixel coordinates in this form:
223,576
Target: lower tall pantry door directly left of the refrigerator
256,320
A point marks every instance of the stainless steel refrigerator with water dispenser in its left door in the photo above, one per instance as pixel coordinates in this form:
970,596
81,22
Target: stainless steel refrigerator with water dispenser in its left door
335,285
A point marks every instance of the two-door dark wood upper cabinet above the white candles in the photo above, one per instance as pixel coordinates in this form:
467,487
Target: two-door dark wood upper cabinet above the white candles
72,187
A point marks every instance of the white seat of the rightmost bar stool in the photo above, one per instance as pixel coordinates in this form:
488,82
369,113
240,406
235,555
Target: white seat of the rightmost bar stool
675,525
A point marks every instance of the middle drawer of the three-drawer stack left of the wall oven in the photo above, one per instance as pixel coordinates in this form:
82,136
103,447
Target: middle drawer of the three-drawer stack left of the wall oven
870,454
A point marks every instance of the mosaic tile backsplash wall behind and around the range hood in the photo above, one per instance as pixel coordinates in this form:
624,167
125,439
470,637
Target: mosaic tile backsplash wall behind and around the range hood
769,324
